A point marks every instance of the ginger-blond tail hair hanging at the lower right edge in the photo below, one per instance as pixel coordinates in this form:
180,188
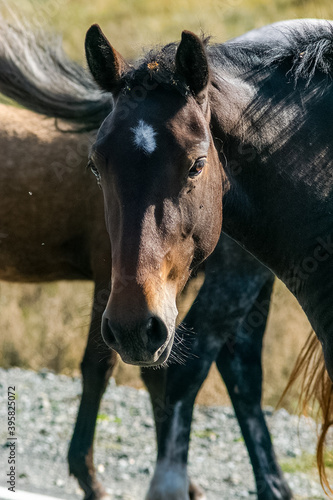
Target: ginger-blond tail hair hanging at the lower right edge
316,394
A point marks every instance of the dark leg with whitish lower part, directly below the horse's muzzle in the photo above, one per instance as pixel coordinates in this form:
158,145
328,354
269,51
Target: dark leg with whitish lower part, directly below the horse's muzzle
173,392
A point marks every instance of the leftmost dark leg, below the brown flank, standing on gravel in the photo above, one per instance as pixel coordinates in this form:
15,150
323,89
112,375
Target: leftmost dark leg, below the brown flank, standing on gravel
97,365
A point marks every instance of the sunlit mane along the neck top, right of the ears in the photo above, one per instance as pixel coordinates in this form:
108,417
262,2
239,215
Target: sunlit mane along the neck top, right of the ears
304,47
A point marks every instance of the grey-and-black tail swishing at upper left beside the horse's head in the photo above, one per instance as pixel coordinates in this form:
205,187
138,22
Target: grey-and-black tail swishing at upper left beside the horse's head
36,73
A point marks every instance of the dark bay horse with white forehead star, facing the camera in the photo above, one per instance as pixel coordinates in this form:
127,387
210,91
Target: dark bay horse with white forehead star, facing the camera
240,130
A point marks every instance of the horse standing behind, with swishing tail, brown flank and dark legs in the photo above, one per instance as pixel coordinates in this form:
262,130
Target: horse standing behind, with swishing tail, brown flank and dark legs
52,227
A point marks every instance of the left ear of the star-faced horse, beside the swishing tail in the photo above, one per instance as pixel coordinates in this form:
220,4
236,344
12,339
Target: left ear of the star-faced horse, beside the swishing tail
105,63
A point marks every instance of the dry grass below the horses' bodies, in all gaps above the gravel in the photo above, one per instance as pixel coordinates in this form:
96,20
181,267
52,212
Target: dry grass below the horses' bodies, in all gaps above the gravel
46,326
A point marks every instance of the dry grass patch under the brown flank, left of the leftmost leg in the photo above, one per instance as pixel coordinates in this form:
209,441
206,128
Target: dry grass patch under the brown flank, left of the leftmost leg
44,325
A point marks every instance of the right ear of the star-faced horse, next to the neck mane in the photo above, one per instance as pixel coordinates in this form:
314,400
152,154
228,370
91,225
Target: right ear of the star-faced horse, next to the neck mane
192,63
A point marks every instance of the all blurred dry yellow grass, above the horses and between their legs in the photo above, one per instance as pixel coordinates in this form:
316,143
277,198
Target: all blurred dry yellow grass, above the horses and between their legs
47,325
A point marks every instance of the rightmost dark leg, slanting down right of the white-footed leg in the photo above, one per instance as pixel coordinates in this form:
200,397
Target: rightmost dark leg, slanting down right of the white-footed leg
240,366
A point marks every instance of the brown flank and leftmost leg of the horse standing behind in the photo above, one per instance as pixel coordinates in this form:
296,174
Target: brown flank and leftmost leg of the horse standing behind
52,228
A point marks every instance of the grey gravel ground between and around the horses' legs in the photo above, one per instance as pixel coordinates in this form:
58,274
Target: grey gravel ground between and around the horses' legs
125,442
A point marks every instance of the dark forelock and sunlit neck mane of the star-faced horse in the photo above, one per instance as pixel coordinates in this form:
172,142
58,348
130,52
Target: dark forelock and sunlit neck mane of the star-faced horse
304,48
